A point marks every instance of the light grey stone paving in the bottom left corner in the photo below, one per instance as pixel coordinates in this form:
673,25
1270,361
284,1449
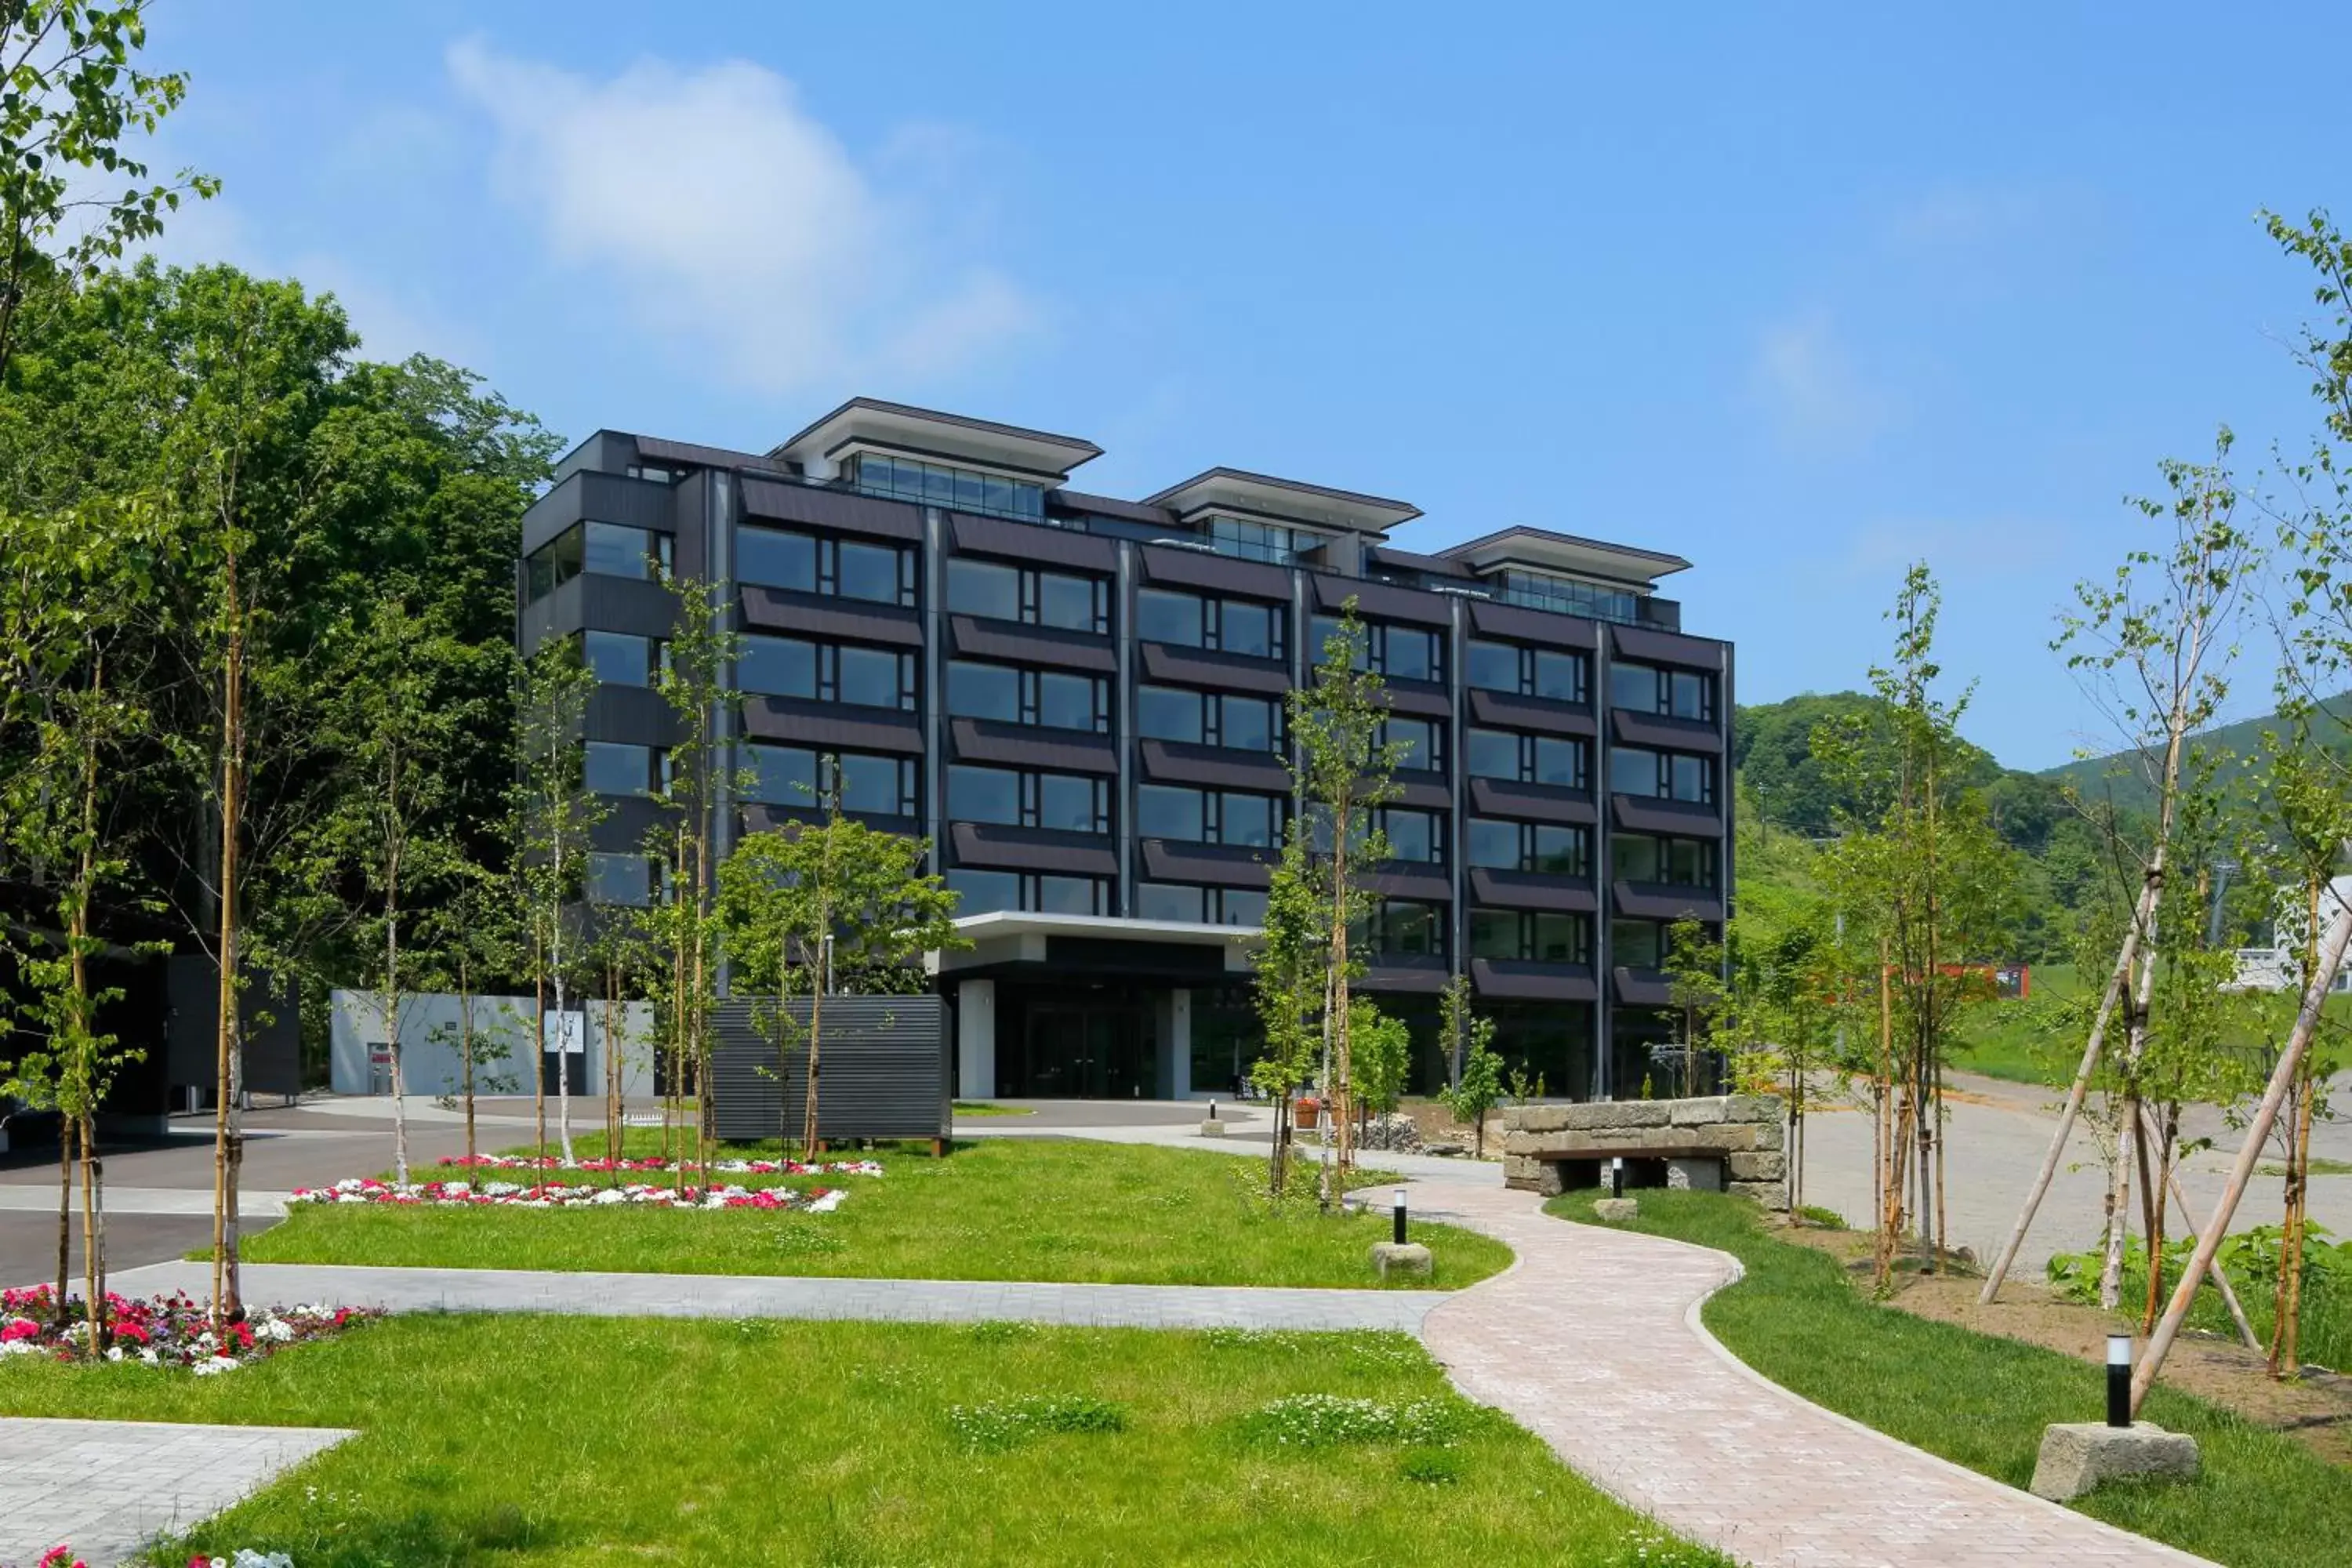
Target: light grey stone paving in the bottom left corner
109,1487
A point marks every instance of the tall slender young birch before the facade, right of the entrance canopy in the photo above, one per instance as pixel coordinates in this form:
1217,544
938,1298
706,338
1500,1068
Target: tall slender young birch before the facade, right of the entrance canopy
1342,770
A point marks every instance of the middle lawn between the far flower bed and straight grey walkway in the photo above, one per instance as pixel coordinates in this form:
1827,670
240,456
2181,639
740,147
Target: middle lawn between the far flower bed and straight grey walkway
994,1209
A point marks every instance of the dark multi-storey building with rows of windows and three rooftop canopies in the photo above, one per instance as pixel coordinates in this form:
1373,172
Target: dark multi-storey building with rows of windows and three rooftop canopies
1081,702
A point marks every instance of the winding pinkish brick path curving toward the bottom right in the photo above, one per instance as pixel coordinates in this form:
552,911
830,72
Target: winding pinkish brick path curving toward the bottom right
1593,1343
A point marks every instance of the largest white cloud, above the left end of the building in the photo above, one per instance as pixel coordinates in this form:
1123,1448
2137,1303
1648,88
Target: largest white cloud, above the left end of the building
737,220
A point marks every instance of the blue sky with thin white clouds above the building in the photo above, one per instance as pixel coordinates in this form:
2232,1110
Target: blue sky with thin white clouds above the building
1800,297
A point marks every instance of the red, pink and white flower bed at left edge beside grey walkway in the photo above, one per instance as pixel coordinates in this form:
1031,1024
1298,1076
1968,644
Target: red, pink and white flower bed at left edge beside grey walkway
163,1329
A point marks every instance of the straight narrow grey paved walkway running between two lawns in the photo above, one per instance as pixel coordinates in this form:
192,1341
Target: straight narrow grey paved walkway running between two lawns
897,1301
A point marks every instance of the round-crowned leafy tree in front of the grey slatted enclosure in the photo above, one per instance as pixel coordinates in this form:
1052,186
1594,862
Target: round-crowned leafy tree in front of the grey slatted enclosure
808,899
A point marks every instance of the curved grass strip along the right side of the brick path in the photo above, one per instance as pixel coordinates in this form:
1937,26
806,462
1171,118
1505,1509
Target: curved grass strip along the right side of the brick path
1982,1402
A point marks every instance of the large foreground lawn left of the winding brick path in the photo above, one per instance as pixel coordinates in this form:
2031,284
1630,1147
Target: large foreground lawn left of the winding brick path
535,1442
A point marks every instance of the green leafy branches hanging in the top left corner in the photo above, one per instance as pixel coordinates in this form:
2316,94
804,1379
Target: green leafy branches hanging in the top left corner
72,102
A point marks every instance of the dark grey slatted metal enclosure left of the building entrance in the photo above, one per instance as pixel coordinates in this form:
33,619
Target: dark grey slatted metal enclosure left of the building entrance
883,1071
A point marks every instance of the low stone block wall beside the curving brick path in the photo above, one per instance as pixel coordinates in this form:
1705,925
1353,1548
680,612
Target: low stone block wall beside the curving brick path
1553,1148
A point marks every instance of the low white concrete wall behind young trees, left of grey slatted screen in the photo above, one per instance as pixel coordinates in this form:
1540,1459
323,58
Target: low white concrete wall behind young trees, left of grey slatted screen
505,1059
